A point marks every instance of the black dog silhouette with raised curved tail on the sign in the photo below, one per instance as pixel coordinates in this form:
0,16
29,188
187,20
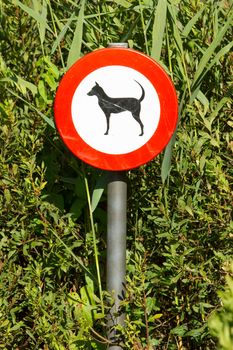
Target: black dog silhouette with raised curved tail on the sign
118,104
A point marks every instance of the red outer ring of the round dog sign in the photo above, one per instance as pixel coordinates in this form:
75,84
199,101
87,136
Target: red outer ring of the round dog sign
120,57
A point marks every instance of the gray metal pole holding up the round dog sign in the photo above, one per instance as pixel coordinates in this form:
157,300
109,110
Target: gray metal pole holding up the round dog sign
116,244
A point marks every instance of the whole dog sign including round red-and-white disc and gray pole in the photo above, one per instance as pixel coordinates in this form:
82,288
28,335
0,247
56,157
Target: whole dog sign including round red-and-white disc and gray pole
116,109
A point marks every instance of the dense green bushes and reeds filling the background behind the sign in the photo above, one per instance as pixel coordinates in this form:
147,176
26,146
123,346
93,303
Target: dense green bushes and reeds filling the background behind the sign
53,207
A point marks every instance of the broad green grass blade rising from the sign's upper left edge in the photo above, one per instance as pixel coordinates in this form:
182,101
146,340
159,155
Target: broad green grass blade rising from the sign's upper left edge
75,49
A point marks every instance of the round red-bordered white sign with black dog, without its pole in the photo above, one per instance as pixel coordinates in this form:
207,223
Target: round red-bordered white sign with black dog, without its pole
116,109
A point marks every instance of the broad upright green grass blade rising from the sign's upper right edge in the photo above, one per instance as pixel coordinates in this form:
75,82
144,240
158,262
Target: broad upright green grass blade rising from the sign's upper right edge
159,29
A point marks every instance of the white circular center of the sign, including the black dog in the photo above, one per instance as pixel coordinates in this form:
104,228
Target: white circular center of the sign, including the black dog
115,109
